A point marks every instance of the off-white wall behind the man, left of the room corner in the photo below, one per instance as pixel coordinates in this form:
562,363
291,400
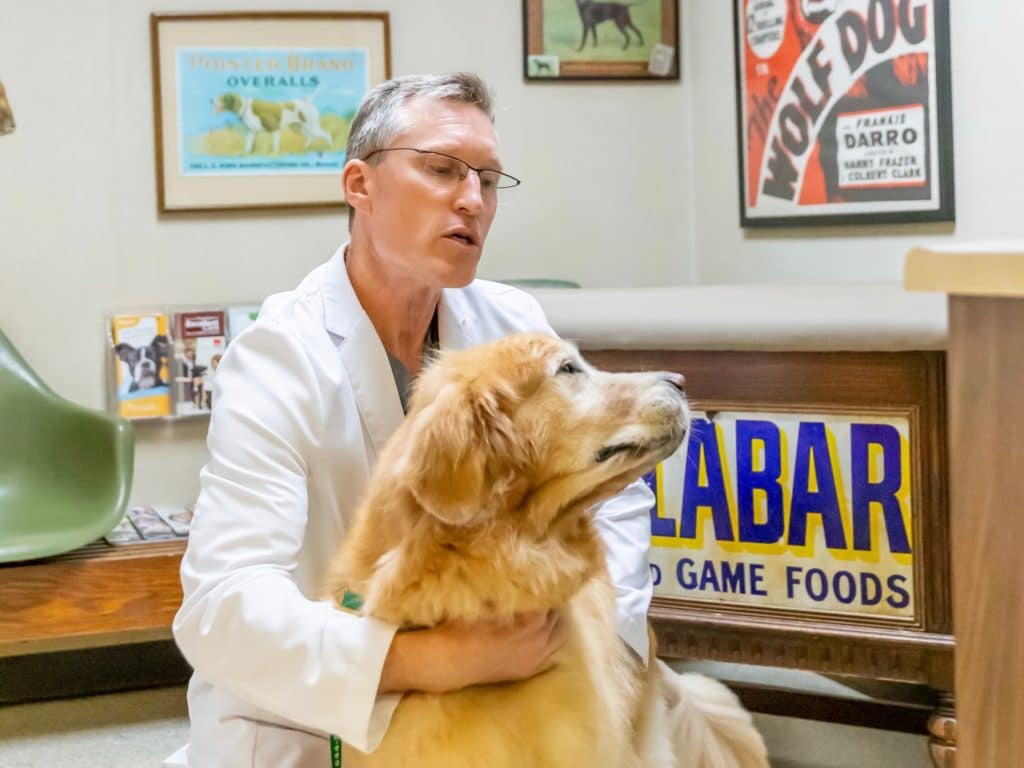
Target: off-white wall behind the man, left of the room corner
605,200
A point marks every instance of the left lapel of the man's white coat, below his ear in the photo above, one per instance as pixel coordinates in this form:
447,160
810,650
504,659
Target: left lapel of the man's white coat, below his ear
363,356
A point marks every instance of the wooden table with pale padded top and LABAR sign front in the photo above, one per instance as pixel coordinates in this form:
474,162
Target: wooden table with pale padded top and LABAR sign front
792,360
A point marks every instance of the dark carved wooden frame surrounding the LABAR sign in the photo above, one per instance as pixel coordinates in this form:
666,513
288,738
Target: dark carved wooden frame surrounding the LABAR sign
858,382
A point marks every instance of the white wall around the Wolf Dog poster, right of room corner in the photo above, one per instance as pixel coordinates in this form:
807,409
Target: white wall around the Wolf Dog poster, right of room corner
990,164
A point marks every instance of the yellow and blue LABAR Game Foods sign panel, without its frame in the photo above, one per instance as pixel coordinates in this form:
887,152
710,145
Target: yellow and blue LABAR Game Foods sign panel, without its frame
791,513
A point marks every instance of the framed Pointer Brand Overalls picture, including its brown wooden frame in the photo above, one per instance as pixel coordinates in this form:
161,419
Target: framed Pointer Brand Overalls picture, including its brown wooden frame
252,111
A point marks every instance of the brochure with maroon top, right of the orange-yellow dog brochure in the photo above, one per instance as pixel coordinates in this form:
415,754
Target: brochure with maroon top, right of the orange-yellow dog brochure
200,339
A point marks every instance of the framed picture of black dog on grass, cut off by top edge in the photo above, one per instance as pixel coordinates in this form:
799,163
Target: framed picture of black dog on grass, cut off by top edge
601,40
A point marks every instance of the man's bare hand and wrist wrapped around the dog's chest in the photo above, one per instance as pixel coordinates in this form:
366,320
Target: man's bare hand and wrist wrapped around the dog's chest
457,655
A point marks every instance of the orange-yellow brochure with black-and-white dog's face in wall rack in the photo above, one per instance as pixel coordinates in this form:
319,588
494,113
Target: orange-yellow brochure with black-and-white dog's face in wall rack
143,350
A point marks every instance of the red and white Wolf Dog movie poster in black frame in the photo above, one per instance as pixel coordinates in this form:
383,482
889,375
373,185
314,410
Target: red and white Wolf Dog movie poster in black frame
844,112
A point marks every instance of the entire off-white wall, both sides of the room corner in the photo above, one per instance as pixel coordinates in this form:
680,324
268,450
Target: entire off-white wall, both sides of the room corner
629,185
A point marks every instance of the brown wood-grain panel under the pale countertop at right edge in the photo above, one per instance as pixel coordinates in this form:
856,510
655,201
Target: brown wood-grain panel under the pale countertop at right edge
987,409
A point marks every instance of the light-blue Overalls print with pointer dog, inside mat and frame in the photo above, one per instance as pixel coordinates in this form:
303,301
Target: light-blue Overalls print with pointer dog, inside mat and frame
268,111
